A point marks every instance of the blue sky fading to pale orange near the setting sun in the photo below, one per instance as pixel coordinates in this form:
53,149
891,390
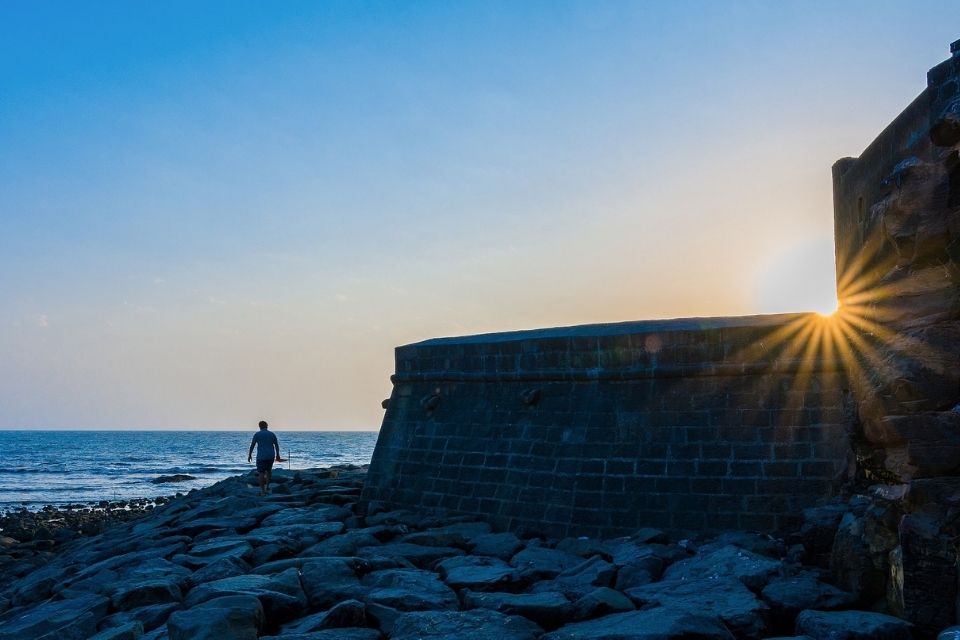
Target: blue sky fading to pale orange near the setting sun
213,213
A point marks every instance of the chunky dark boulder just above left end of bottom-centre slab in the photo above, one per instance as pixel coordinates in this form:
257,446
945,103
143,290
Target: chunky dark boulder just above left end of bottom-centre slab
408,590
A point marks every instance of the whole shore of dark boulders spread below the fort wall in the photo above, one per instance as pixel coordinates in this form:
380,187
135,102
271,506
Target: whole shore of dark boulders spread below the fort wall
305,564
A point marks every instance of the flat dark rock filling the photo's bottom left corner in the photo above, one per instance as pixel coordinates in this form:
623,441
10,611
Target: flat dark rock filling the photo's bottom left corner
65,619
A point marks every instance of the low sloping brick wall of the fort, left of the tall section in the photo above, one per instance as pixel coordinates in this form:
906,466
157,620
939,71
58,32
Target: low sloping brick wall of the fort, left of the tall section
699,424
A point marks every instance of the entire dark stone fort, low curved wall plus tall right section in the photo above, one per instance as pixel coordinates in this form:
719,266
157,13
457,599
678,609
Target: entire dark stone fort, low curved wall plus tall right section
725,422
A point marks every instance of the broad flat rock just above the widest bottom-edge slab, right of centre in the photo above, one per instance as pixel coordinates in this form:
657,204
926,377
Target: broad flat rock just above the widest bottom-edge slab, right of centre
727,598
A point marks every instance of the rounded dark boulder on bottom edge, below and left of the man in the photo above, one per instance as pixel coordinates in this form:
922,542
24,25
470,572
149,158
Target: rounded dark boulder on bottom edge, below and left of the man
238,617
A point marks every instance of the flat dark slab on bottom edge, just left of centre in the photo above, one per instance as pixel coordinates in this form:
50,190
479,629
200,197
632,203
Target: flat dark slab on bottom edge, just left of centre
478,624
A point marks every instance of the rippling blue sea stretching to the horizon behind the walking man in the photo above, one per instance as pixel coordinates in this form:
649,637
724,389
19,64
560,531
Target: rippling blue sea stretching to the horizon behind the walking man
61,467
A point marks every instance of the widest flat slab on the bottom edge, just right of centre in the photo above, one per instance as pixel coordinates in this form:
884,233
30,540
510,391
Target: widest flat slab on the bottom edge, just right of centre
649,624
